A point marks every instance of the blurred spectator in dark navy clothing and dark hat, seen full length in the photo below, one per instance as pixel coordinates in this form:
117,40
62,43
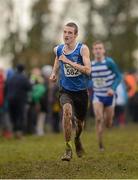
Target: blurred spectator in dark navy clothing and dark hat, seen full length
16,91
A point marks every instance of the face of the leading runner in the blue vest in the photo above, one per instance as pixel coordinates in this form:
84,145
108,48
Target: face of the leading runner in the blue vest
69,35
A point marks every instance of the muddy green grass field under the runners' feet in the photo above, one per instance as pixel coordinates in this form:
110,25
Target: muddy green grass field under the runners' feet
39,157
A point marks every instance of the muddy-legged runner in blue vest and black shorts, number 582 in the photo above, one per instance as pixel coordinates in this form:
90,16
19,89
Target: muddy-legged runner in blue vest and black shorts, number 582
73,62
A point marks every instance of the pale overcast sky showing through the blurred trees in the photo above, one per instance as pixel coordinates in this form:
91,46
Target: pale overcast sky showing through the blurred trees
21,19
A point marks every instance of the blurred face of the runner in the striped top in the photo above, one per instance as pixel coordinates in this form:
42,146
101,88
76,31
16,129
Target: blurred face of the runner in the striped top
98,50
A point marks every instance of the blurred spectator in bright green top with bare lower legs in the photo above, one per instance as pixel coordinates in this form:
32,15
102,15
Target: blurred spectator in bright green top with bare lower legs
37,110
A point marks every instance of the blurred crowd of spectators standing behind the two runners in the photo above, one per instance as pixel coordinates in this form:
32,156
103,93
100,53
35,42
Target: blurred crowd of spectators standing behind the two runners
29,102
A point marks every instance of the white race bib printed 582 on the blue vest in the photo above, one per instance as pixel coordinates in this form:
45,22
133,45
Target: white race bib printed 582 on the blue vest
70,71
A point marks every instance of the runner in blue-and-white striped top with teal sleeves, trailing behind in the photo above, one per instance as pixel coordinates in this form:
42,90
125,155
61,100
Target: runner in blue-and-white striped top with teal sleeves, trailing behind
105,79
